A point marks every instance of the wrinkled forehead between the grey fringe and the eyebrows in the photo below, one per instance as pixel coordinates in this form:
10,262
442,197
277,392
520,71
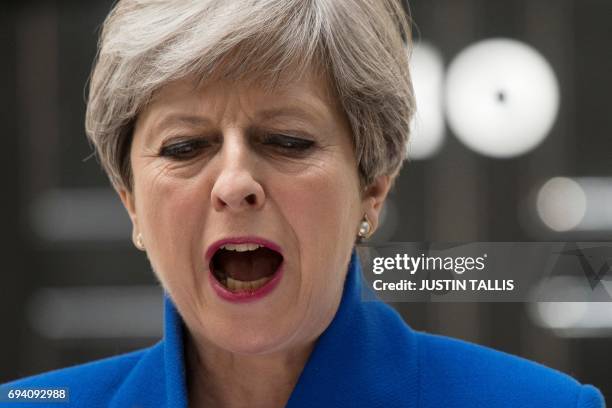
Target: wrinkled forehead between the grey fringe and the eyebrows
181,104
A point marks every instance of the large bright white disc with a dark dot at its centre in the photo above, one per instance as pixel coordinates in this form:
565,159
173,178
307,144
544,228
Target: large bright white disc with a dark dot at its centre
502,97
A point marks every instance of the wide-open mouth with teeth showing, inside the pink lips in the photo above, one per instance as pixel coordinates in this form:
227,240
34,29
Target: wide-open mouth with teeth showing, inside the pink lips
243,268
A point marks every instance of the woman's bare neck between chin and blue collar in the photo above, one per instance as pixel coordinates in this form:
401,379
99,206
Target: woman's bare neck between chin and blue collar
220,378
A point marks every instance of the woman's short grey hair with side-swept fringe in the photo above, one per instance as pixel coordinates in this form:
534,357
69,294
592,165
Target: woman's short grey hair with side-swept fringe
361,46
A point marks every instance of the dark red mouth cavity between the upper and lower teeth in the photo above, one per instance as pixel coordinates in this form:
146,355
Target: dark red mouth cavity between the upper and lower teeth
248,265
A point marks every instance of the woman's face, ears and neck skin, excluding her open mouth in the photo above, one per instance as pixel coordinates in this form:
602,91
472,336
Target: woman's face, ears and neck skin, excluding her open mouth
208,164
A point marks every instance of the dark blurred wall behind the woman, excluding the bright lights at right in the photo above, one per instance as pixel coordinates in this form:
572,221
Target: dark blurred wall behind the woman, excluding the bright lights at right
74,289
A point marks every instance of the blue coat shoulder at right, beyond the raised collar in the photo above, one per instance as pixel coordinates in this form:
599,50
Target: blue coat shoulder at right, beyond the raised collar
467,372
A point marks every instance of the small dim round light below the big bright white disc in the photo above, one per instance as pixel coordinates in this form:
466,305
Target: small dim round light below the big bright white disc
561,204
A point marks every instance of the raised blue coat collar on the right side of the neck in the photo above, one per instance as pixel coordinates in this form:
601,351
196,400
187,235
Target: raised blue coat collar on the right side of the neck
367,357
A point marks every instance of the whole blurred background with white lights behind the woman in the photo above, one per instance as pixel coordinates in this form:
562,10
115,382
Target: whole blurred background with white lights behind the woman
513,142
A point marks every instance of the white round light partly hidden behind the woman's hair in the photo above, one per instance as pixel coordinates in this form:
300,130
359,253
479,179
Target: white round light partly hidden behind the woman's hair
427,126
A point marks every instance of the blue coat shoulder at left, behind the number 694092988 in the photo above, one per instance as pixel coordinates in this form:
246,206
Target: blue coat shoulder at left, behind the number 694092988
94,382
